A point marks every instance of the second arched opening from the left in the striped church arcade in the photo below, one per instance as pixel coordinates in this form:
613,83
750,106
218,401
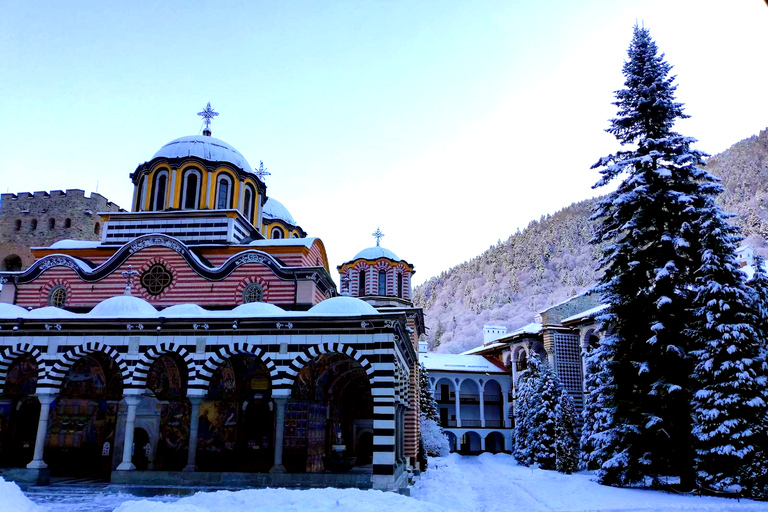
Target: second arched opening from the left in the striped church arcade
83,418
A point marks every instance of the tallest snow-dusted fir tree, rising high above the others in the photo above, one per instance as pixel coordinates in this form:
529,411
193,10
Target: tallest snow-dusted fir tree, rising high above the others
651,250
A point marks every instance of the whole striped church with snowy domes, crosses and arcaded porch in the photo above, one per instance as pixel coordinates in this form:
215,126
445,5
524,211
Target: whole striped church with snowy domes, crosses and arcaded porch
202,340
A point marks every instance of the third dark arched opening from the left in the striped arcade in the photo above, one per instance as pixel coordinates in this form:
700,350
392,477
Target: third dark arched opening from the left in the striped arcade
168,383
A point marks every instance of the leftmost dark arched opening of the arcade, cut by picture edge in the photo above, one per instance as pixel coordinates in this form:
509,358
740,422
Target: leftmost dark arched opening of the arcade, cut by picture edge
19,413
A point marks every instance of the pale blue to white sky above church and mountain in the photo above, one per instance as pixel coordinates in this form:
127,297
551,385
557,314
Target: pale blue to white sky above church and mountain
449,124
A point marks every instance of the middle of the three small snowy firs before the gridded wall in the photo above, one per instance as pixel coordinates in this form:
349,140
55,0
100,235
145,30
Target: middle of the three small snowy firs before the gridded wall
543,437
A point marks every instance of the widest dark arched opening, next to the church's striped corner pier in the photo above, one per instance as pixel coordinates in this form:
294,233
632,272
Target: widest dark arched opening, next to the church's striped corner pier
330,403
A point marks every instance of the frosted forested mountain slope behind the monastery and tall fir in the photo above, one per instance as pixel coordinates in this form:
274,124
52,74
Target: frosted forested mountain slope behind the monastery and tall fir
551,260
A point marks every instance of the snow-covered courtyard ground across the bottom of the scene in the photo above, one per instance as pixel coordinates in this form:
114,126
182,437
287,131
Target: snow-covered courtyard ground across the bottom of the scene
487,483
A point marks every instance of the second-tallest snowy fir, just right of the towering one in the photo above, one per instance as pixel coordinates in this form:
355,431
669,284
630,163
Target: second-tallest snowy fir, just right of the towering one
729,402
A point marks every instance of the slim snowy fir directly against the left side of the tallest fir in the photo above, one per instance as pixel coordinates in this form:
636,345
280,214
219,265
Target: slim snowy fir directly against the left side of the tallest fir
596,415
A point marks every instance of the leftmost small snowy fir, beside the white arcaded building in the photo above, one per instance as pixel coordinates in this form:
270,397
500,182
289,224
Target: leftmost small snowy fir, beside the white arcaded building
526,402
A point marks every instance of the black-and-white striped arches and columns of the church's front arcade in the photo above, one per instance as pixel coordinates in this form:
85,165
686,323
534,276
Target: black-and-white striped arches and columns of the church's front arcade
372,362
